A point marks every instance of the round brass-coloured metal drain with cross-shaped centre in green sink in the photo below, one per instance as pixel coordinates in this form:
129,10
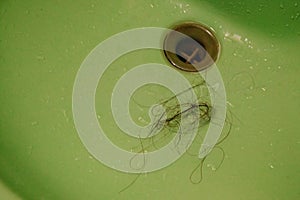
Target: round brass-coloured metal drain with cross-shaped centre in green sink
195,45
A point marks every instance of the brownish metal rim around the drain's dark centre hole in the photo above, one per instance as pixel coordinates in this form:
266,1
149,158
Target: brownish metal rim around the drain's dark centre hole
204,35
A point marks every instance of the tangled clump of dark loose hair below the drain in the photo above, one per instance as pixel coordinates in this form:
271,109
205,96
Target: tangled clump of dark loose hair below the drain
169,121
